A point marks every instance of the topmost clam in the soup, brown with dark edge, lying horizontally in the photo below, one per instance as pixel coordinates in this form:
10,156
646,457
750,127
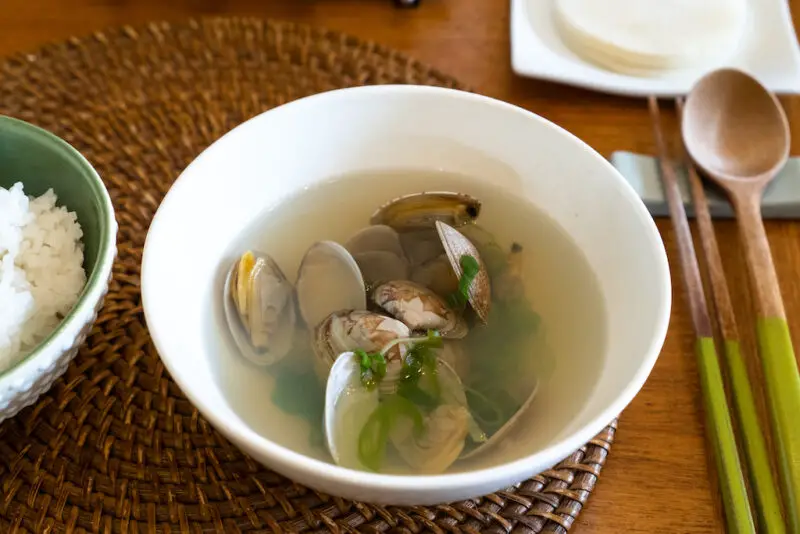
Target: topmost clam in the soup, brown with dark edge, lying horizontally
420,210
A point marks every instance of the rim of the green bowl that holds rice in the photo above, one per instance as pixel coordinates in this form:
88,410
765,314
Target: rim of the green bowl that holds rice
96,281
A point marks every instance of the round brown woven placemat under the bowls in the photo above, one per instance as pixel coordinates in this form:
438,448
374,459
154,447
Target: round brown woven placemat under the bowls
114,446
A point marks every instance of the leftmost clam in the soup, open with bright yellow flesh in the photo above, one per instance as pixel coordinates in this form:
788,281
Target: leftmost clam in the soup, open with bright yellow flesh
259,308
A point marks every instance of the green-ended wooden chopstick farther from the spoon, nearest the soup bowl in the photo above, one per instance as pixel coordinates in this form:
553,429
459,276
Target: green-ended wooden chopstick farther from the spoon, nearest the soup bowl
720,429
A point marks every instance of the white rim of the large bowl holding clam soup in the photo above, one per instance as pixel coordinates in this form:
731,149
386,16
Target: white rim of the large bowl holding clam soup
279,457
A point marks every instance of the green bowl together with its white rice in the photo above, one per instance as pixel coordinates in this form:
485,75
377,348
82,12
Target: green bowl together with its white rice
57,246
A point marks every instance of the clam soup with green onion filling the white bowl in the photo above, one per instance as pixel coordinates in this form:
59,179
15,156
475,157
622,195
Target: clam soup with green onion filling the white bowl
408,322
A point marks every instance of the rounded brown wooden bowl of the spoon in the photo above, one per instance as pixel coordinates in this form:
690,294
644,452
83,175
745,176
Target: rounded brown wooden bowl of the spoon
734,128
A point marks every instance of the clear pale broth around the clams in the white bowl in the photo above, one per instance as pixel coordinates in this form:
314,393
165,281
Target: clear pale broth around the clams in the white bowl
285,403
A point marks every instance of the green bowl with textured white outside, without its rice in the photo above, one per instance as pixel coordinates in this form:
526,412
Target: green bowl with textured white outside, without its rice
42,161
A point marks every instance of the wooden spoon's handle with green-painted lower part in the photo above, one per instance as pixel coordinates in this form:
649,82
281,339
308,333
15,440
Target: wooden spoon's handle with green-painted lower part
777,354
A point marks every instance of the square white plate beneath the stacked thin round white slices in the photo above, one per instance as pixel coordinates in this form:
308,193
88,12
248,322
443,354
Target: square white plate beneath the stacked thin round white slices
769,52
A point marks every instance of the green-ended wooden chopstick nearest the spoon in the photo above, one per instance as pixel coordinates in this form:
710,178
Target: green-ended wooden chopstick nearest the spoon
762,483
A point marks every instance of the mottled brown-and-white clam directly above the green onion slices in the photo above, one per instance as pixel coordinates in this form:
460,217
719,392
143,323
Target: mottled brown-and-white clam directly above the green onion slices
349,330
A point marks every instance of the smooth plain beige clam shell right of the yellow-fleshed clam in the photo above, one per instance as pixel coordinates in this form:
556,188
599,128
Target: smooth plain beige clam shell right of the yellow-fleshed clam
328,280
